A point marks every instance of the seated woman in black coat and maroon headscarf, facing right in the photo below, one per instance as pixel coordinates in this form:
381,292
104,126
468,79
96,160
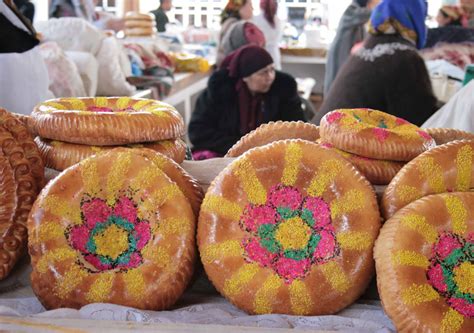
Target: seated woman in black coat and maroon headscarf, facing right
244,93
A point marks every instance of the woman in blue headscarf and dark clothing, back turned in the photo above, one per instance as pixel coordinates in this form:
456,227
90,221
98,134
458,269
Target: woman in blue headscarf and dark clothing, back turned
387,73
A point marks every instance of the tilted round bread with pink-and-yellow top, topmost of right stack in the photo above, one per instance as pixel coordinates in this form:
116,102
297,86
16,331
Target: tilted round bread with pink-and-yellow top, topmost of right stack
374,134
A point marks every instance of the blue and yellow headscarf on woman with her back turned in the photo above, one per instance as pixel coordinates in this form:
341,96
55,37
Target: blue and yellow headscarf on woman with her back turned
406,17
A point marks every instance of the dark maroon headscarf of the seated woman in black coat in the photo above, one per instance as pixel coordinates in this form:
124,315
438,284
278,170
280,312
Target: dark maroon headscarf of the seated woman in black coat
241,64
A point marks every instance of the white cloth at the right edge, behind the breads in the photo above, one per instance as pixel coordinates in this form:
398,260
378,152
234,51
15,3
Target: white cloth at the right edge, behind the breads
457,113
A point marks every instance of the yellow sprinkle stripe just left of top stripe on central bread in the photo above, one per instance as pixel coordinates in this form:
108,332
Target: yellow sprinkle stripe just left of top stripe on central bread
255,191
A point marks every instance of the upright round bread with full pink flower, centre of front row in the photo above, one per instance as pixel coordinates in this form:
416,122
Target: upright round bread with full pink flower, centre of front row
289,228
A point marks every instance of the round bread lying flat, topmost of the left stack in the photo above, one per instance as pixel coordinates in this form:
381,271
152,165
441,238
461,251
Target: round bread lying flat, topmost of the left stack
106,121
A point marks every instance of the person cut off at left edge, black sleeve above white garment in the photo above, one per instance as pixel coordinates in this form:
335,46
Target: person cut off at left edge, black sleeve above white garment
24,78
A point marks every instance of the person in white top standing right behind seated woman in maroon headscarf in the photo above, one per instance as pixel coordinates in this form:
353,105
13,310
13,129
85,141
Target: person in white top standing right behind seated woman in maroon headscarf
271,27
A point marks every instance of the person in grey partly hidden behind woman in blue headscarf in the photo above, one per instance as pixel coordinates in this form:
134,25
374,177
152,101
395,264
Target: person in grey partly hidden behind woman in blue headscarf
350,31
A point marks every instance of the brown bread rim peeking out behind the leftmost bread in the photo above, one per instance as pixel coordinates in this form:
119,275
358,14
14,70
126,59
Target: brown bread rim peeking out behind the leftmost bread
21,134
